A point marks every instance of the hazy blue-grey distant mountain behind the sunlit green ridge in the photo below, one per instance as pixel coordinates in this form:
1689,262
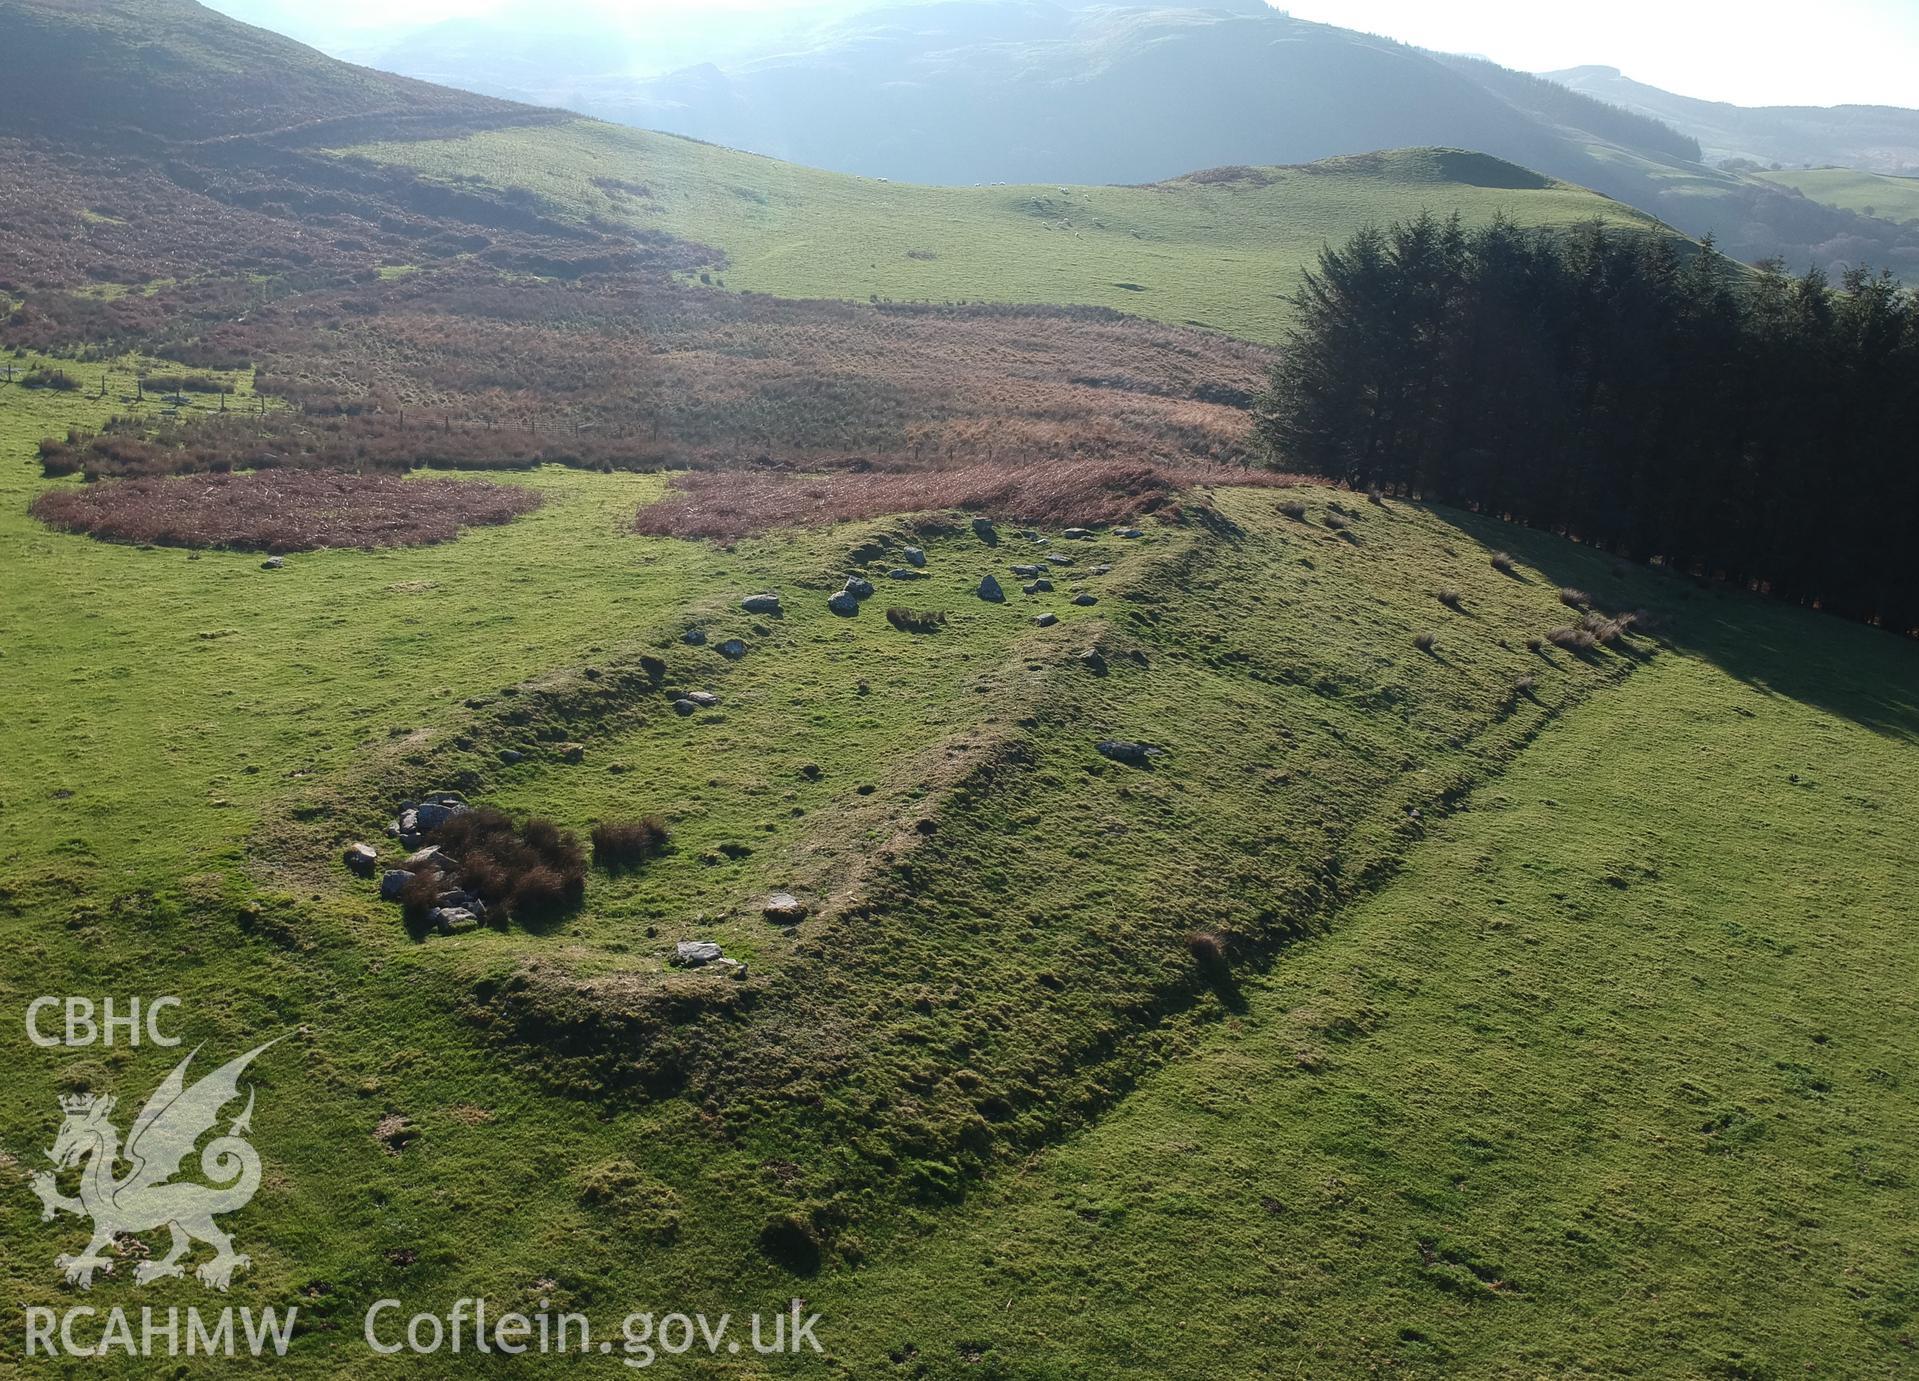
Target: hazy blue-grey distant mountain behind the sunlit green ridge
1033,93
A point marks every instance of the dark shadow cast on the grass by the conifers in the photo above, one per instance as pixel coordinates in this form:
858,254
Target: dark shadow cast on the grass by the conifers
1843,668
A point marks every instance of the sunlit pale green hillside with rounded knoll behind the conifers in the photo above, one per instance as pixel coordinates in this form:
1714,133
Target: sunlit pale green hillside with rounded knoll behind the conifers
1218,250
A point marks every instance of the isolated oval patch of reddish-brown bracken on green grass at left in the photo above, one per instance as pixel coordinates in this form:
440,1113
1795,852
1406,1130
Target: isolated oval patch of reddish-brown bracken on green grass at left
283,511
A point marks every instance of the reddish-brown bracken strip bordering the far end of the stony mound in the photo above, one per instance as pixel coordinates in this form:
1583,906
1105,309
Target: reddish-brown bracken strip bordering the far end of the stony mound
1049,494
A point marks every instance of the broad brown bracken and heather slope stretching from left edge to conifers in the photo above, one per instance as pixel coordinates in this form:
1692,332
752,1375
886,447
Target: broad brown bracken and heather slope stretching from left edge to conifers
521,340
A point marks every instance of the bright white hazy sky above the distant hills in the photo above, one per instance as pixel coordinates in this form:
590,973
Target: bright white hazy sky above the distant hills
1753,53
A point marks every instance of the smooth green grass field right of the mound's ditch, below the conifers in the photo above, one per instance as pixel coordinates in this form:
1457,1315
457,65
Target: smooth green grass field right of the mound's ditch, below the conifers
1609,1083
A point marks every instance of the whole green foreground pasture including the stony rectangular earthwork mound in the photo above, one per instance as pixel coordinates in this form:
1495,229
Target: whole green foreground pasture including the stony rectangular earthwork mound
1621,1033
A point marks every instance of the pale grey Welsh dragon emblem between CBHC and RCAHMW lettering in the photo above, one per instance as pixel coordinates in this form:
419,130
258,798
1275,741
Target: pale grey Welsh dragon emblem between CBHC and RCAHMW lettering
162,1136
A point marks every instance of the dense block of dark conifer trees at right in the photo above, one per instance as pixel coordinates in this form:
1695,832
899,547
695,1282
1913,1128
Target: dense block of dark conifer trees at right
1747,427
